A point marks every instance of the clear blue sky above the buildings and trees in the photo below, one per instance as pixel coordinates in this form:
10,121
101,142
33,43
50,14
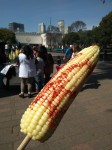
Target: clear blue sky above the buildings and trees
31,13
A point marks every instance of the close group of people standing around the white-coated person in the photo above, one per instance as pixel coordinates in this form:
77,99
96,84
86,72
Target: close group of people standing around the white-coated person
35,66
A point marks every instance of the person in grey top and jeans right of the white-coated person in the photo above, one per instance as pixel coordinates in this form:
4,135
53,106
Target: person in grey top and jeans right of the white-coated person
39,78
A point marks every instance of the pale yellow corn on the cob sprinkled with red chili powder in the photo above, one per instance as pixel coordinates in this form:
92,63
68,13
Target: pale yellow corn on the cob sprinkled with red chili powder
41,113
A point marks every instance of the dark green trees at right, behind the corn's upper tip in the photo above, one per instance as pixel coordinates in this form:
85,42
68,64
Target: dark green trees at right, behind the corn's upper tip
101,35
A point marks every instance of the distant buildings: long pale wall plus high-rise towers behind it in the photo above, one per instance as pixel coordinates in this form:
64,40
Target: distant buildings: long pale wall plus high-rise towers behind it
49,39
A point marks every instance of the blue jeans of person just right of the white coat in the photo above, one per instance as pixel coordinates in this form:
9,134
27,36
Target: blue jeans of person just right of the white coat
39,82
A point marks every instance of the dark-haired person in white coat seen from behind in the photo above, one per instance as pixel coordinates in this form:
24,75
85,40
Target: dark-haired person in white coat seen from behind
27,69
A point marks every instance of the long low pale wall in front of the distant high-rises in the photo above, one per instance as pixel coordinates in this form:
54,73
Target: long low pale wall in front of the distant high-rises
47,39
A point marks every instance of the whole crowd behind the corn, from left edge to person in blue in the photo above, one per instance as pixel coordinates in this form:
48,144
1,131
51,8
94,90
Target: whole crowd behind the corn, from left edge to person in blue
35,66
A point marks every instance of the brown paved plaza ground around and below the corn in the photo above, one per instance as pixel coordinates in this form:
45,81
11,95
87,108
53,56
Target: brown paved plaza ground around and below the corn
87,124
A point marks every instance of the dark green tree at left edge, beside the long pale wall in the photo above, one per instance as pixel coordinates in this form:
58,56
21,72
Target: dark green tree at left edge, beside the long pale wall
7,36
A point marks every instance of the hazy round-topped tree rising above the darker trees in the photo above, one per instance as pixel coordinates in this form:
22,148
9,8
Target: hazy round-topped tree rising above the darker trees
77,26
